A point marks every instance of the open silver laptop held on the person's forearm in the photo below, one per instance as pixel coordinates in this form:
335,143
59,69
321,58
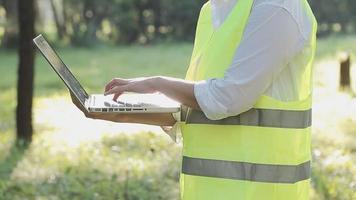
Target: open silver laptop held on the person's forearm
127,103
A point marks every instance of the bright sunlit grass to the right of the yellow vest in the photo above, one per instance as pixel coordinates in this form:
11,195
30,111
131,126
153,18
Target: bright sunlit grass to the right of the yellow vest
334,123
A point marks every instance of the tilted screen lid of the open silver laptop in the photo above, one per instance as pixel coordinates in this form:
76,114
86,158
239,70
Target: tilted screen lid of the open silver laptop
61,69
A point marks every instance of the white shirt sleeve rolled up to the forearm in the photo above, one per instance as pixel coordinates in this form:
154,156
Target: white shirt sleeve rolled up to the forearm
271,39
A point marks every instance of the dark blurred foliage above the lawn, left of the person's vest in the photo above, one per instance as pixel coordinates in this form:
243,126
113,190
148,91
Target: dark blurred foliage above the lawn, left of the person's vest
129,21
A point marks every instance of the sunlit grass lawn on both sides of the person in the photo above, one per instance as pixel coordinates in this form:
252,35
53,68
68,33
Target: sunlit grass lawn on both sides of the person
76,158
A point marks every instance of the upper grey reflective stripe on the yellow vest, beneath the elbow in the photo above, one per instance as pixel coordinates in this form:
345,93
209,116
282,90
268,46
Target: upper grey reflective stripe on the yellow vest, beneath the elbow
258,117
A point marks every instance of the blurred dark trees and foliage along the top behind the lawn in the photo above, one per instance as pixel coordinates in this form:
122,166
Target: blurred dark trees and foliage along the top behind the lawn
84,22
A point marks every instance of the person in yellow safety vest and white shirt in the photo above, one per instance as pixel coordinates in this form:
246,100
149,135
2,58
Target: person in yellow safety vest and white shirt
246,134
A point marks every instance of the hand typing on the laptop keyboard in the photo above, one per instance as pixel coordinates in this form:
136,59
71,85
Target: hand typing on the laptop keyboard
118,86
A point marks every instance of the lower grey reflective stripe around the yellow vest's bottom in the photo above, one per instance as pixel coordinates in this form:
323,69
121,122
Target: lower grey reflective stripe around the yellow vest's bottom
246,171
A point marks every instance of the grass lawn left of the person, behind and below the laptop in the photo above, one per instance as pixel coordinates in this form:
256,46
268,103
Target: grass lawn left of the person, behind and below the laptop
104,161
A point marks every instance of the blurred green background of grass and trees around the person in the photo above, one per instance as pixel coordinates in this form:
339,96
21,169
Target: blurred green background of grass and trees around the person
71,157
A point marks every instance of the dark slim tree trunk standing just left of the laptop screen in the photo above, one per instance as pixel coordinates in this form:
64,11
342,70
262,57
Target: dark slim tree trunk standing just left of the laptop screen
26,12
